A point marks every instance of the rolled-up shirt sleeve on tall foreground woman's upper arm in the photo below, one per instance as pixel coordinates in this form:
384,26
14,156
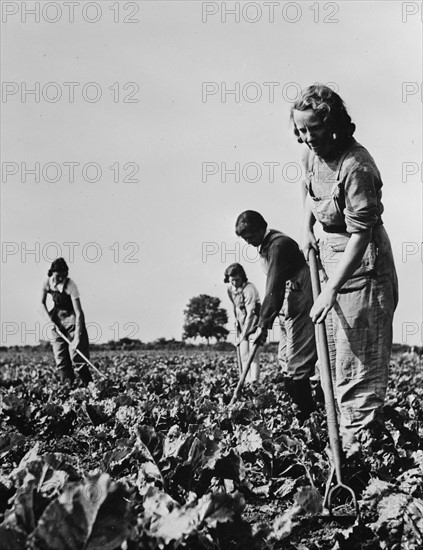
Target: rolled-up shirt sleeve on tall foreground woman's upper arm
362,186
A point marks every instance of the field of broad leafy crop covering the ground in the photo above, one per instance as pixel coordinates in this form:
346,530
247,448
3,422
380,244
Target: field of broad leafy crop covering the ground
153,458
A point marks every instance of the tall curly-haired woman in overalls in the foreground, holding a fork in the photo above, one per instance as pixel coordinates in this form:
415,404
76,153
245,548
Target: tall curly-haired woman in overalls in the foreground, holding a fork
343,193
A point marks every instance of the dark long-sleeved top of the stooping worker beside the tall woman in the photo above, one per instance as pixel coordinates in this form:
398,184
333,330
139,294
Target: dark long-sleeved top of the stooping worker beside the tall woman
281,259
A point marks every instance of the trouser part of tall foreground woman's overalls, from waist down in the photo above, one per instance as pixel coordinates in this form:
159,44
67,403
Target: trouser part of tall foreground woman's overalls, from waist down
362,333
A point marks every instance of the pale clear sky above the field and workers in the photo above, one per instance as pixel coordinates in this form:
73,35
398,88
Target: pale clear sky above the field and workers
134,133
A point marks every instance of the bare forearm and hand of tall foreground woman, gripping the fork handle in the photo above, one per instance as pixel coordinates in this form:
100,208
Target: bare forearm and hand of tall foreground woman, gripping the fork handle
349,262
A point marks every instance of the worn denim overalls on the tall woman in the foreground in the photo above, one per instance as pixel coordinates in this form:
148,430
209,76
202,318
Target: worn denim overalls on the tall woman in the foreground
360,323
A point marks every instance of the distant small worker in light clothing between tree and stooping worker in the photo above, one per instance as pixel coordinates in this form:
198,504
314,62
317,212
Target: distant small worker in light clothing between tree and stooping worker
246,303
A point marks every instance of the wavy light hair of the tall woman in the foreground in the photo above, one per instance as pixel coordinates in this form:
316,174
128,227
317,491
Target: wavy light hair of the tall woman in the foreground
328,106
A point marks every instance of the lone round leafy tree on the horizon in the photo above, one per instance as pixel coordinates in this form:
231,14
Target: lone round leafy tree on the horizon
204,318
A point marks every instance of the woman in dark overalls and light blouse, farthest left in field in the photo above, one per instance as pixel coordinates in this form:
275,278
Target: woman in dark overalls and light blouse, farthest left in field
68,316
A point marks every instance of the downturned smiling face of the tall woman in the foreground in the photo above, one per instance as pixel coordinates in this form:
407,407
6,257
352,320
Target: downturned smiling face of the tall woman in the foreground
314,133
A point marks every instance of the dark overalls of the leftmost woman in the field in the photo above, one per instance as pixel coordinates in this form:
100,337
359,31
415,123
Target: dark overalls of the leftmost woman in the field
63,315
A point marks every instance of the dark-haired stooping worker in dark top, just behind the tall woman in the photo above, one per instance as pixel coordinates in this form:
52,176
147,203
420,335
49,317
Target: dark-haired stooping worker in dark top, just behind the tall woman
288,285
